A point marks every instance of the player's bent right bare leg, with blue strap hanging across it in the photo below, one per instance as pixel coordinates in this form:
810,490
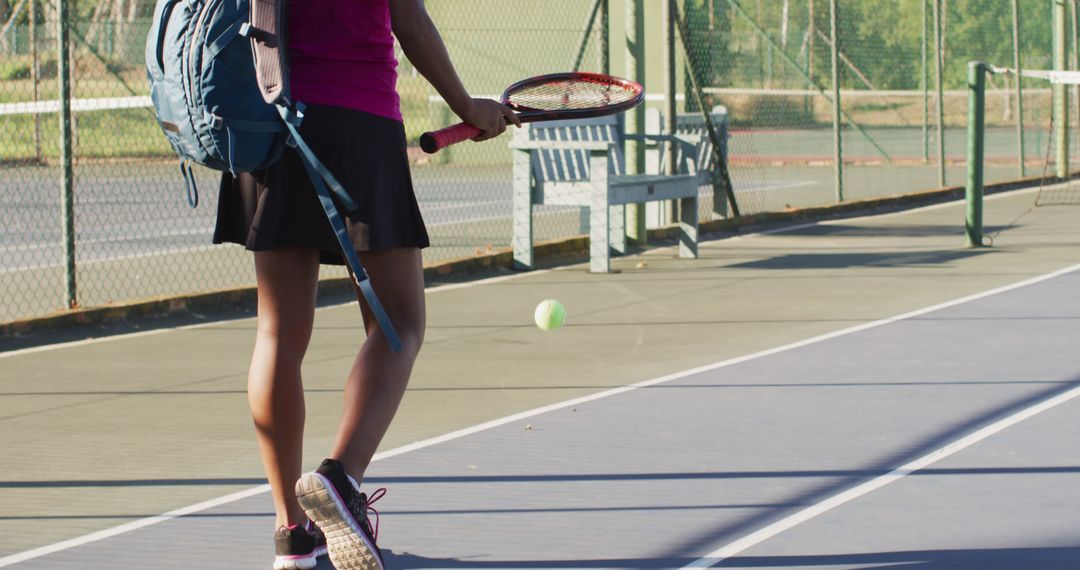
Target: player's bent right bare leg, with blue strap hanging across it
379,377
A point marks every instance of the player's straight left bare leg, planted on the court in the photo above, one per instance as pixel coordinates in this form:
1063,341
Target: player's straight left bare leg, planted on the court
288,282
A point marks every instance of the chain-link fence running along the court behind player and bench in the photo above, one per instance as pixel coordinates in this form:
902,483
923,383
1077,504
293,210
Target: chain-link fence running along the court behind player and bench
800,130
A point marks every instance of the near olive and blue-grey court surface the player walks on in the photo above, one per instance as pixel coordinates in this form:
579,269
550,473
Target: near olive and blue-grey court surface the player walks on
857,393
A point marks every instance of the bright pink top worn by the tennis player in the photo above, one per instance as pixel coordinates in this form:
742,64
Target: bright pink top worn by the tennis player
343,55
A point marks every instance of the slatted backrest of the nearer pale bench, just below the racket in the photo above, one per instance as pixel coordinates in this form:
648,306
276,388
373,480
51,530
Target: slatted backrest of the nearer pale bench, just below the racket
558,166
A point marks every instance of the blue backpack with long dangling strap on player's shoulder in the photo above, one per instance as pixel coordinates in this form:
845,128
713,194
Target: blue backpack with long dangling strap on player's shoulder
219,75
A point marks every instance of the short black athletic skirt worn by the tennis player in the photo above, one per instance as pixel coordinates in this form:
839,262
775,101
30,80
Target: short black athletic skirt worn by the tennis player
279,209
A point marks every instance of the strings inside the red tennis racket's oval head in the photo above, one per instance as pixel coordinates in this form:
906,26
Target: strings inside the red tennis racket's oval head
571,94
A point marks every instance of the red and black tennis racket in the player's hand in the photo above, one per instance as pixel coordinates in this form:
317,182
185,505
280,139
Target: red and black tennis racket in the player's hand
552,98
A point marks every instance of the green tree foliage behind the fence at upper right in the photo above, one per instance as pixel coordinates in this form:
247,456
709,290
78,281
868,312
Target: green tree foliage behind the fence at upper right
882,40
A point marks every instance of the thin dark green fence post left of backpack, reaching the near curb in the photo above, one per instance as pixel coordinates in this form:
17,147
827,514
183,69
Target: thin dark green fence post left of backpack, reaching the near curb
67,189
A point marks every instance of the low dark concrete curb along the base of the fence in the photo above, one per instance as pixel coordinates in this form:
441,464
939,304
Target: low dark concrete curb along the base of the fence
568,250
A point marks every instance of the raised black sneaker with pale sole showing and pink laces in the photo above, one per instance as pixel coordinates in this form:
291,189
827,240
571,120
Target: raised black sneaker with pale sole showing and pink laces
333,500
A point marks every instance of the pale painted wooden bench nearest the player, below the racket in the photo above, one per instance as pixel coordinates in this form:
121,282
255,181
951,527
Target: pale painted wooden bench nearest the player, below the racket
582,164
